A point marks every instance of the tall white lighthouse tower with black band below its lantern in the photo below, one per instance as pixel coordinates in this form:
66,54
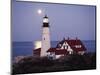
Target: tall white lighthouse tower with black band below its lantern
45,36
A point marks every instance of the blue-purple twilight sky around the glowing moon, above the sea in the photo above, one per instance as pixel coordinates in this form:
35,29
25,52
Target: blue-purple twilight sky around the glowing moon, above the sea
65,21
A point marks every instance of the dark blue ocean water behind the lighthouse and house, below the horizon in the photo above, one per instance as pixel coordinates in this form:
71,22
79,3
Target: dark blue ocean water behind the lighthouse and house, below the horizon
26,48
